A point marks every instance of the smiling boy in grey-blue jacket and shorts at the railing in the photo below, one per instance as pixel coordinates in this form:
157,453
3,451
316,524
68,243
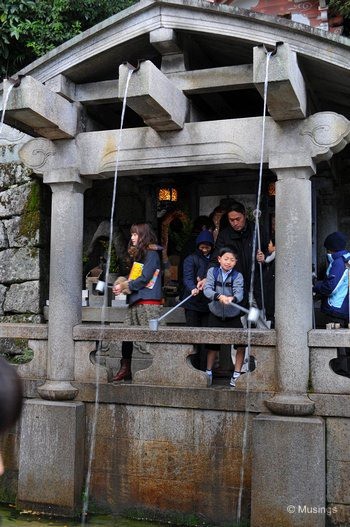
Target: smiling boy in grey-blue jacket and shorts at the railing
223,286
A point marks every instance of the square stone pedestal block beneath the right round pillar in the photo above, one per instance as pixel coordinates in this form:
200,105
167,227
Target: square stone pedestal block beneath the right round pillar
289,472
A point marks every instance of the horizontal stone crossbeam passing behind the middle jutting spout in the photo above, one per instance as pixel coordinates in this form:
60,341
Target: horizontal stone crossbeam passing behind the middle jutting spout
211,80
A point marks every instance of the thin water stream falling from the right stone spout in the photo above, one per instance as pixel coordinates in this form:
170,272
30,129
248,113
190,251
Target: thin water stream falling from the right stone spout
256,239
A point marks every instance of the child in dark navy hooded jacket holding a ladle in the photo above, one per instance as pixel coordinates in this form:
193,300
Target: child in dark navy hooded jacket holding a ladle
195,268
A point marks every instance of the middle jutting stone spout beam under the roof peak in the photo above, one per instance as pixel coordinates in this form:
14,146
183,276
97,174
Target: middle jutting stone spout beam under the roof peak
152,96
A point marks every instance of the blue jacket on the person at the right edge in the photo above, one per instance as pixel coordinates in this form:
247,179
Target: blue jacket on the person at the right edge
334,288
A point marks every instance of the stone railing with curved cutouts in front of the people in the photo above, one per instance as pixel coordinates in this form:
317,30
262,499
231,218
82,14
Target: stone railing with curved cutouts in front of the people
170,347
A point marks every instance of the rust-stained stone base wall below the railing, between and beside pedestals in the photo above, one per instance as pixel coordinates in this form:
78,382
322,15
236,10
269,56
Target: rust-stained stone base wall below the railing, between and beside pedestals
181,460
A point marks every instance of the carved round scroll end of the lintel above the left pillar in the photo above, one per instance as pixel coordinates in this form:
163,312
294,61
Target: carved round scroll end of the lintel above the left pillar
38,154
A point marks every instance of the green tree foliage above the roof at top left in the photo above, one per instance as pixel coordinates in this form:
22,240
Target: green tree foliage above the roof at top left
30,28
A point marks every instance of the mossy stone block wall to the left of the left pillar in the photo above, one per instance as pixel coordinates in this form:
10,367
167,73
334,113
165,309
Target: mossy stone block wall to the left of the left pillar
24,237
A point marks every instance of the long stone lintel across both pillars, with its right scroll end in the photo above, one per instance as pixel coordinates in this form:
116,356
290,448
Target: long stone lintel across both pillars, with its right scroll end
207,145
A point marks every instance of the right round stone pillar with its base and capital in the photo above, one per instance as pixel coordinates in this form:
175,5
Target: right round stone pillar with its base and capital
293,289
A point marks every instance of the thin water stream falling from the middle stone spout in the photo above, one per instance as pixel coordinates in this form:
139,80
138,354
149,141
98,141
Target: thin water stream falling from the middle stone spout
86,494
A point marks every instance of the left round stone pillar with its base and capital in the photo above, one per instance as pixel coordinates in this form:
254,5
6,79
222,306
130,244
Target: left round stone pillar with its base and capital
65,280
